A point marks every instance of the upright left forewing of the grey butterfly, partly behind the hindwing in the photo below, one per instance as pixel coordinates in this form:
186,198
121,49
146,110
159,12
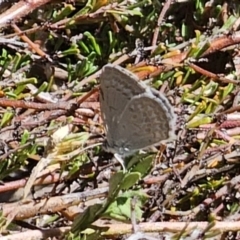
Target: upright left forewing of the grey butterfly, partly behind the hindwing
117,86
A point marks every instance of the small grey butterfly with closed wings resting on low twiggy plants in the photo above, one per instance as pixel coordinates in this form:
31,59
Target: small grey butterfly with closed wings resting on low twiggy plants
135,116
